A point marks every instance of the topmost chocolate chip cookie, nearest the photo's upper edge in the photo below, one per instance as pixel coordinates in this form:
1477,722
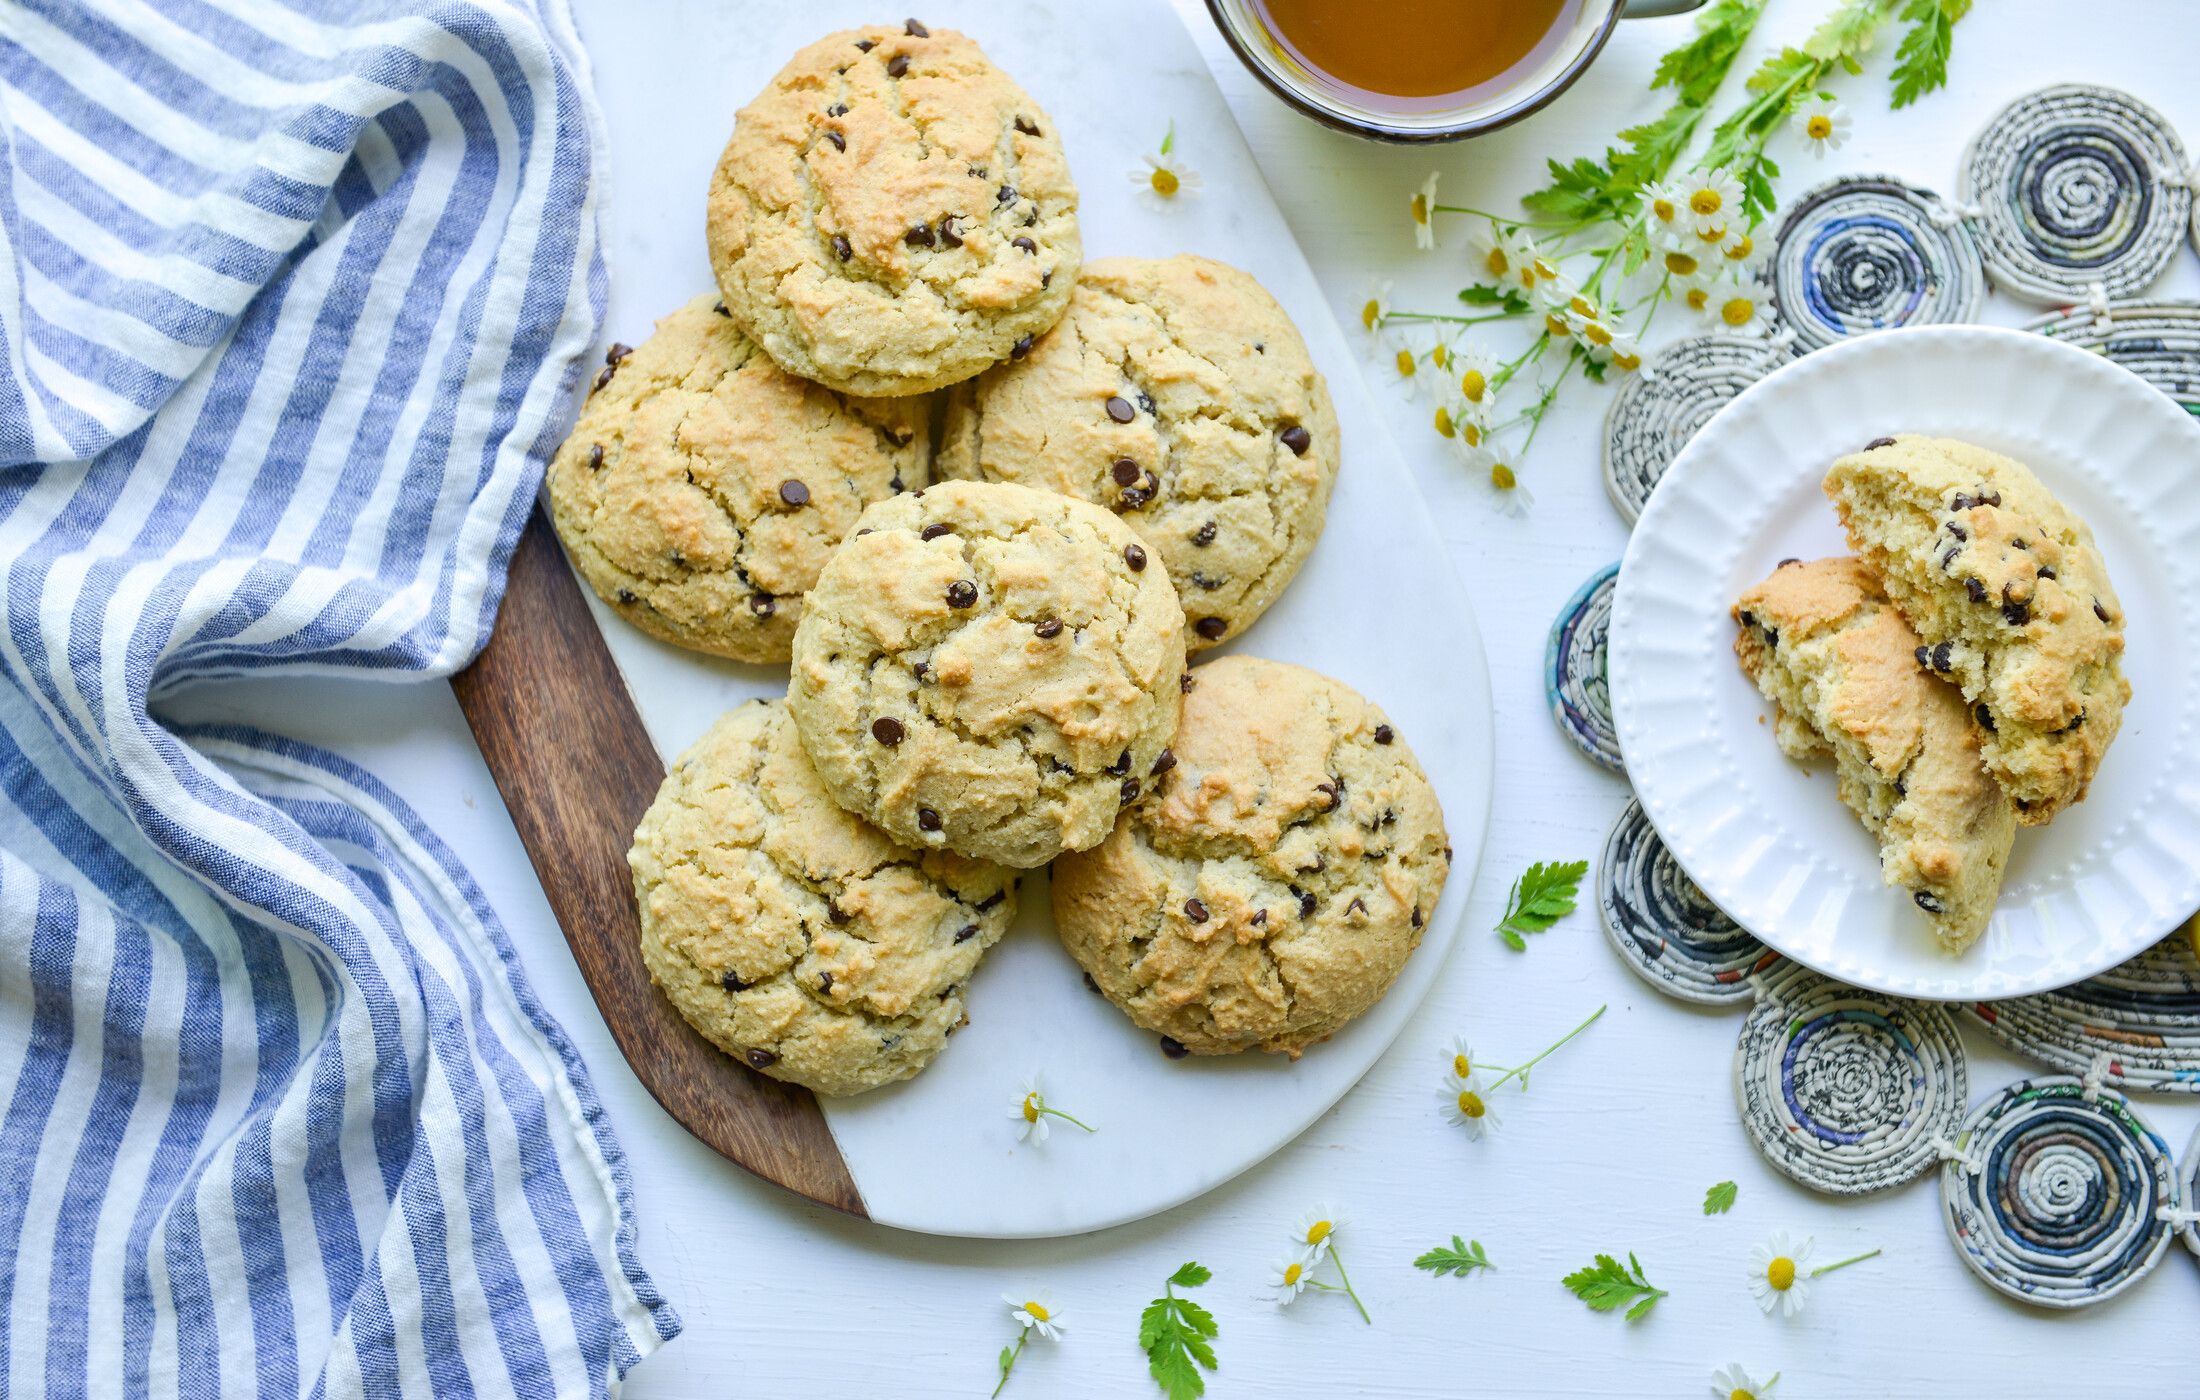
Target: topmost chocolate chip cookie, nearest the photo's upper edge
894,215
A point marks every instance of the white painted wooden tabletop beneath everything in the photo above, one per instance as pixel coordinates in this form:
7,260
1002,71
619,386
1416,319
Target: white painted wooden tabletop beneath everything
1622,1133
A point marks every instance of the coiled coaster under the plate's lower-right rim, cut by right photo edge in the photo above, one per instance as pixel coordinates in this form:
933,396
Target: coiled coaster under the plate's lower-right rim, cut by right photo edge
2137,1025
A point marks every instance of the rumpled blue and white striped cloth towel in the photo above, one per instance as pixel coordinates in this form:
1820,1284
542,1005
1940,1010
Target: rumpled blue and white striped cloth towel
294,298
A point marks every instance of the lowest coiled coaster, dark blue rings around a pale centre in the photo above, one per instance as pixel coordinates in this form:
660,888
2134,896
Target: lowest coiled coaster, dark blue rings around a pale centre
2060,1194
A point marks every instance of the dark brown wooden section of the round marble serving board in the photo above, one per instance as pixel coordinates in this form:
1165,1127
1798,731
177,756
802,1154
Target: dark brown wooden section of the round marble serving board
577,769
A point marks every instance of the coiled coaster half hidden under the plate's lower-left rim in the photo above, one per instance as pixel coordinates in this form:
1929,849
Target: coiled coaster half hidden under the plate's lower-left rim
1666,930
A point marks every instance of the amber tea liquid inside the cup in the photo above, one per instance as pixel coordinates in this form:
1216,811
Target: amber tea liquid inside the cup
1420,54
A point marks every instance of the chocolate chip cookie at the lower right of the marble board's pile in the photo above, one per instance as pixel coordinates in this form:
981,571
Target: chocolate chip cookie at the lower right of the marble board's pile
1275,879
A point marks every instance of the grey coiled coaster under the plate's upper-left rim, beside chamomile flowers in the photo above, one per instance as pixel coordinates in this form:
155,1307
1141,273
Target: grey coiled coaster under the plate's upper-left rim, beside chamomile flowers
1658,411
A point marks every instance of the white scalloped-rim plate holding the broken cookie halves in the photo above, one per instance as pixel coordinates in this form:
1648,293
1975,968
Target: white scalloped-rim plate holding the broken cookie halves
1765,838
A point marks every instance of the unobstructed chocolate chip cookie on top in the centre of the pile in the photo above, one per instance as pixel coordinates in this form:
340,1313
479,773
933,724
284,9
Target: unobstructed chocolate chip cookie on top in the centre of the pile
989,668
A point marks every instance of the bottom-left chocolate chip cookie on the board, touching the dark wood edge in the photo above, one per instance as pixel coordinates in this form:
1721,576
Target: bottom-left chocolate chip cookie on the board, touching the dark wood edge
793,934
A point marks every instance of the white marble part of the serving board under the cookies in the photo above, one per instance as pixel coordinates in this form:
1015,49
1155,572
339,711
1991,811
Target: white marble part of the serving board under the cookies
1376,606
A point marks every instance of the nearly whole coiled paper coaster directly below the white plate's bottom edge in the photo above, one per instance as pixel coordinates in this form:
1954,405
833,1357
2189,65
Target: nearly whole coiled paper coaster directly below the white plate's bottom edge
1847,1091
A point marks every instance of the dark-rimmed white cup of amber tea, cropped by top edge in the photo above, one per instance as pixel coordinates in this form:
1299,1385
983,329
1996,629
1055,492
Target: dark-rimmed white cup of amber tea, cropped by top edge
1422,69
